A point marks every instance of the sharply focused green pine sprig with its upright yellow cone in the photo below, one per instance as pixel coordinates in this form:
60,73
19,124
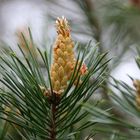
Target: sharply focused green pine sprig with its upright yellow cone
47,105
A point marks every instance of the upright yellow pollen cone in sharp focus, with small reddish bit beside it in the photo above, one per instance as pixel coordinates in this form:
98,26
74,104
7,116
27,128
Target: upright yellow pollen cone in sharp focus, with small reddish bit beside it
64,59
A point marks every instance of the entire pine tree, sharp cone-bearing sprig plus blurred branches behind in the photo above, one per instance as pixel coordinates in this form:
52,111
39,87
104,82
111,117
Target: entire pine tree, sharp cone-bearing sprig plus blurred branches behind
51,95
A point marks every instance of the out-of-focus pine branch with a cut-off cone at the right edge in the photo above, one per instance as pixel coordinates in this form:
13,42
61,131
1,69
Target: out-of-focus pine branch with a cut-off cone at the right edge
121,121
